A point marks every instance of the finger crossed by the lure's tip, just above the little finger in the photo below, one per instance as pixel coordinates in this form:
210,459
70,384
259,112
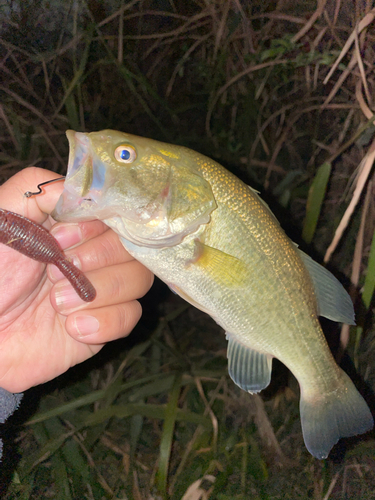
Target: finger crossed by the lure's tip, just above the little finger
114,285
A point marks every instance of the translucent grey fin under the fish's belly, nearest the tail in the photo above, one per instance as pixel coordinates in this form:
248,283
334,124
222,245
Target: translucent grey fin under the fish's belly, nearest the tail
249,369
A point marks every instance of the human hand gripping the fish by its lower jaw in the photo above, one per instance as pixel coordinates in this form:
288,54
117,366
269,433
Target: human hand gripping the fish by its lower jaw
45,328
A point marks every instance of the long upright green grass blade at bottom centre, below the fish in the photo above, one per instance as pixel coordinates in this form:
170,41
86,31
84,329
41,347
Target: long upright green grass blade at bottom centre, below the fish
167,436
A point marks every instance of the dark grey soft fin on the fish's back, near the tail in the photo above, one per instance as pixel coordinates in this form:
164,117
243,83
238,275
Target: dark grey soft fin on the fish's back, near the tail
334,301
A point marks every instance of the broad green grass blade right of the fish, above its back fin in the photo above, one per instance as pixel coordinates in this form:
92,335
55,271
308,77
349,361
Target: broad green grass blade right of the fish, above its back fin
315,200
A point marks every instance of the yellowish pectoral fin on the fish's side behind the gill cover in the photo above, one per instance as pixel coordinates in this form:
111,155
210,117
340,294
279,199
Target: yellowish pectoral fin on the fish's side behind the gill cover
223,268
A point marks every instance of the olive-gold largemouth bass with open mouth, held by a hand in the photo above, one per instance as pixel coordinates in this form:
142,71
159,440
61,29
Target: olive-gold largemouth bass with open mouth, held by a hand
214,241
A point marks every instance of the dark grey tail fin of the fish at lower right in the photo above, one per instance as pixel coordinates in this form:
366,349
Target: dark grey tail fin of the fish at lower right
331,416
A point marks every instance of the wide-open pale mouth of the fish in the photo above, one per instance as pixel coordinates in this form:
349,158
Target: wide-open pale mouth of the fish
83,183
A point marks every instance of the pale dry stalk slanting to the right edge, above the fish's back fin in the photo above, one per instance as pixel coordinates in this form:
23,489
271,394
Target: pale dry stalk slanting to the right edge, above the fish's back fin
365,168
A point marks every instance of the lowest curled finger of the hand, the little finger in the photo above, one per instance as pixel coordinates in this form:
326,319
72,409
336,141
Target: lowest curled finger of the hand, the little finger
98,326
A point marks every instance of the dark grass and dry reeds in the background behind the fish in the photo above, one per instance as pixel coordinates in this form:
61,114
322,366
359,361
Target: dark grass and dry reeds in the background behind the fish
282,96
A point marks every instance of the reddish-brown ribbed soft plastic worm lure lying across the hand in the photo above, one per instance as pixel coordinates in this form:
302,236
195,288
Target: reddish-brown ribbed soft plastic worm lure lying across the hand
36,242
